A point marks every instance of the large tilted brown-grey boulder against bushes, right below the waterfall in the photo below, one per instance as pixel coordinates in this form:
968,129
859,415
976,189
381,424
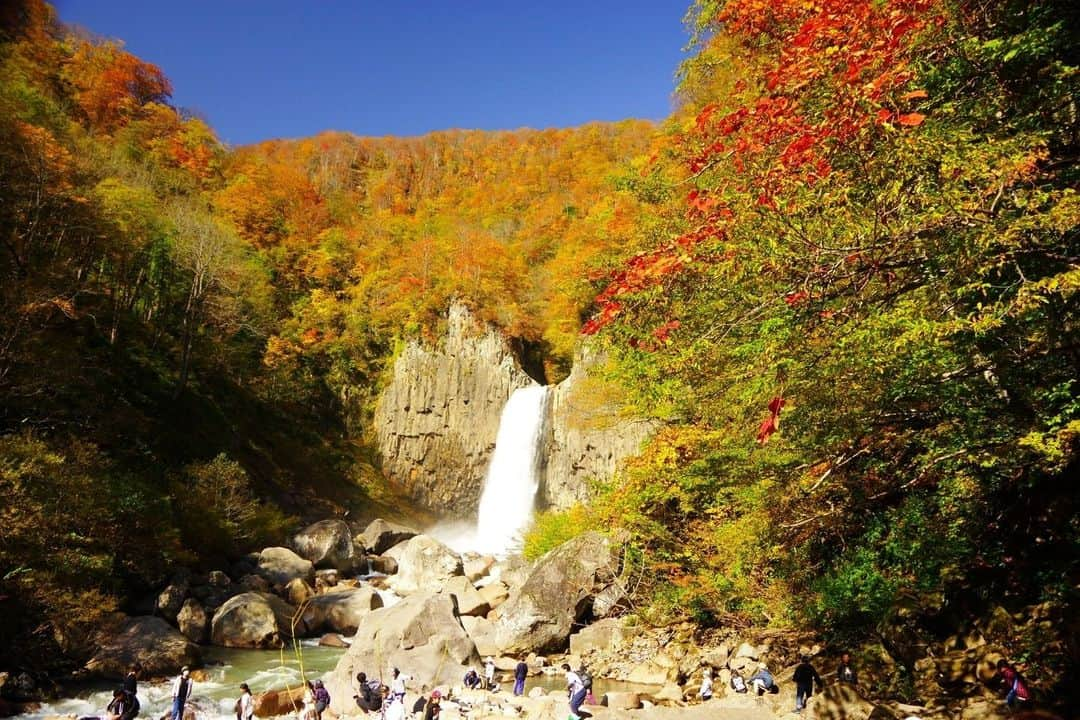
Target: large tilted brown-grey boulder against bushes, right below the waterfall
558,594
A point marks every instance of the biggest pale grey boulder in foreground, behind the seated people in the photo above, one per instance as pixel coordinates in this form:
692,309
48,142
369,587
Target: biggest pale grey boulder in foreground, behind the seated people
420,634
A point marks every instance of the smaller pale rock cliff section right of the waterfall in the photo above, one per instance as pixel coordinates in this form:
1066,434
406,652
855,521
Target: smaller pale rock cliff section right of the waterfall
590,434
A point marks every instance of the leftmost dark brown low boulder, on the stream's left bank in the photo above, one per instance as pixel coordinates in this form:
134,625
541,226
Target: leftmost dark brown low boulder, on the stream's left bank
151,642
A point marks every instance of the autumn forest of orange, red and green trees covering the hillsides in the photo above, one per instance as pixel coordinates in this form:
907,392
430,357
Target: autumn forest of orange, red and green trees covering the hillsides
844,275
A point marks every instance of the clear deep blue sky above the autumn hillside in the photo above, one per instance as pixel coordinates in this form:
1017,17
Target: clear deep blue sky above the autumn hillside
275,69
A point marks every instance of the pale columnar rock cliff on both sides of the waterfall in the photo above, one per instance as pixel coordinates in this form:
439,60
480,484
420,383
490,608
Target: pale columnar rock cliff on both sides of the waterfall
438,420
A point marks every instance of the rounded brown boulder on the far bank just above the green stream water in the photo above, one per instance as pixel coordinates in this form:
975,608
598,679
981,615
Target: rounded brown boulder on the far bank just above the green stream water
255,620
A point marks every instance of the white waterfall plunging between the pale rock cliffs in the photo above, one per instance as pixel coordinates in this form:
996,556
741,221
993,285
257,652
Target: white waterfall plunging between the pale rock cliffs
510,488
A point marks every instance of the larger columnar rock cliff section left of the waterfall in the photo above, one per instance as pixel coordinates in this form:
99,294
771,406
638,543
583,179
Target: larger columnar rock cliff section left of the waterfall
438,419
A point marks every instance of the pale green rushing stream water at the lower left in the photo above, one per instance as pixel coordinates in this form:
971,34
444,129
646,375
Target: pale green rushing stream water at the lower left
213,697
